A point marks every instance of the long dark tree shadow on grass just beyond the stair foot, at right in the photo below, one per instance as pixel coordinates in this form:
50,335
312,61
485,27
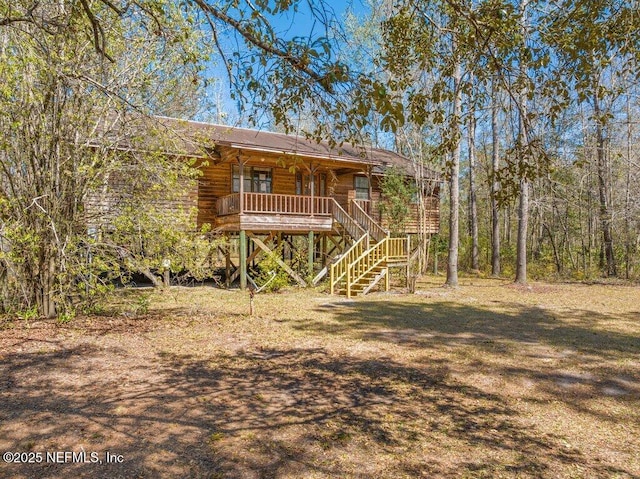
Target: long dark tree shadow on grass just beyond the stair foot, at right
432,324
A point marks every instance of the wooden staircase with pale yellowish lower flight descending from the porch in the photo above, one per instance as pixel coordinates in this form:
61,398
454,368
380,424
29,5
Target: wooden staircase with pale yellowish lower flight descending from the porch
367,261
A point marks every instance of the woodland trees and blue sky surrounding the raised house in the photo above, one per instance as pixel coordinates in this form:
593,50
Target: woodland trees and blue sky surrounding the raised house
528,108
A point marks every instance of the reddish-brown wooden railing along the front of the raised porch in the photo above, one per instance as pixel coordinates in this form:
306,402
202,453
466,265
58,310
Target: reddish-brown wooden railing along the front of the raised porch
274,204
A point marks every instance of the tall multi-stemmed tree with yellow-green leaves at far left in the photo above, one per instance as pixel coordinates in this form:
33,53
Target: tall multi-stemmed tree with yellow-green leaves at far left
66,125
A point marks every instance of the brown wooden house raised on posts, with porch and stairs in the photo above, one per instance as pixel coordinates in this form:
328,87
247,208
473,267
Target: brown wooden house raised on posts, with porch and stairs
270,191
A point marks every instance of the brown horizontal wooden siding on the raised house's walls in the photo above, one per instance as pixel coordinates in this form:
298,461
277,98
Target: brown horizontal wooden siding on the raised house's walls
215,182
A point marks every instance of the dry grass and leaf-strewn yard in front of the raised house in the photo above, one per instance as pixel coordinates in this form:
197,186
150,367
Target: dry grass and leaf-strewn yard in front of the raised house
488,380
